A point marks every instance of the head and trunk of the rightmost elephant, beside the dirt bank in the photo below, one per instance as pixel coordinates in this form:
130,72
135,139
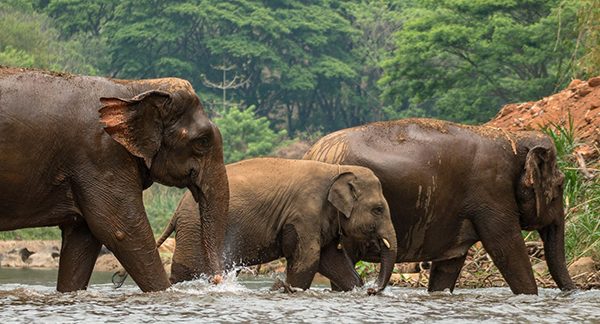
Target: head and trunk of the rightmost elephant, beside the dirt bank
539,194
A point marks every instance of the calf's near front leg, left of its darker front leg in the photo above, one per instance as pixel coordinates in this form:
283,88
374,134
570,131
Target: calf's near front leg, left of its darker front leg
302,255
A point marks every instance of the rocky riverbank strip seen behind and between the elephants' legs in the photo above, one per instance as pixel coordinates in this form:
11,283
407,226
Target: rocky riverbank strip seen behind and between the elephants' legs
478,272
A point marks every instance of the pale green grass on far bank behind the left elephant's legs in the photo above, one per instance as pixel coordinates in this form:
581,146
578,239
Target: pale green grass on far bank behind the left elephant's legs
160,203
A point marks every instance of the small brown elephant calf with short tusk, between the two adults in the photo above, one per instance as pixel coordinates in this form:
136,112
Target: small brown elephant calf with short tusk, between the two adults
293,209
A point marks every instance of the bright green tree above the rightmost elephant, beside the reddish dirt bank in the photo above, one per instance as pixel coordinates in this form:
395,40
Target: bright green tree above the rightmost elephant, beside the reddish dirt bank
462,60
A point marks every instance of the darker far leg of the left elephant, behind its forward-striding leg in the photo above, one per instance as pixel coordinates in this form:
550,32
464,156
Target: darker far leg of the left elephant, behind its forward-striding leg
77,257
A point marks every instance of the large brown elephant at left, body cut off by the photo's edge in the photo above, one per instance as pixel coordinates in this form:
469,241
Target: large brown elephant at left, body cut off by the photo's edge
77,152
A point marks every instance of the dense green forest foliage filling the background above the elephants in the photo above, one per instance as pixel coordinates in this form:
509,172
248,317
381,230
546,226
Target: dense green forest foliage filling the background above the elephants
312,66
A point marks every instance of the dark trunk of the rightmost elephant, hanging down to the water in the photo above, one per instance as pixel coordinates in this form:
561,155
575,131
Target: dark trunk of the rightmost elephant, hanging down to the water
553,236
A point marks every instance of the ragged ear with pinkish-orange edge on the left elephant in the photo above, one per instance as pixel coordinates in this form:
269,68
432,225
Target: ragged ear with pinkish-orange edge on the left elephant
136,123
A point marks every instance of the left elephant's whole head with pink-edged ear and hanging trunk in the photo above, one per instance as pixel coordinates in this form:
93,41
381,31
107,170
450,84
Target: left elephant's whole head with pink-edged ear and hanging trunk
167,128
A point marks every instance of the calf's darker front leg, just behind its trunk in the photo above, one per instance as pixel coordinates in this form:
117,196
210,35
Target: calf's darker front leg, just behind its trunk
338,268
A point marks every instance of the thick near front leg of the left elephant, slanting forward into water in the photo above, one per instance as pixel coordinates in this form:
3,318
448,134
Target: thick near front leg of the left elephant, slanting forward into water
116,217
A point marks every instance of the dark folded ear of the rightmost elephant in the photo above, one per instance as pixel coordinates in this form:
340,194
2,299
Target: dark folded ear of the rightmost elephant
539,176
